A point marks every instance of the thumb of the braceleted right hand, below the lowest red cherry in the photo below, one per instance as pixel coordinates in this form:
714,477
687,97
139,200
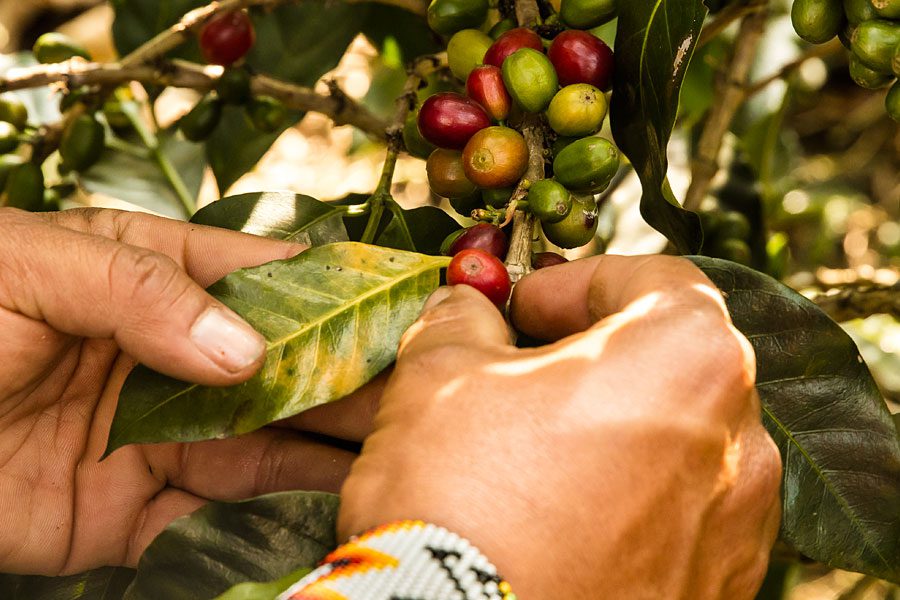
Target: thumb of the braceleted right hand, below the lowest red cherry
460,317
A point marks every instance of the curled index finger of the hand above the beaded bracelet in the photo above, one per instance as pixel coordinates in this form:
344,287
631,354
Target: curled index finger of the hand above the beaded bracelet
554,303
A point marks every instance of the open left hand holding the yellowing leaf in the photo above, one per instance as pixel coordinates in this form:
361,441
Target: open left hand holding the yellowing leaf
83,295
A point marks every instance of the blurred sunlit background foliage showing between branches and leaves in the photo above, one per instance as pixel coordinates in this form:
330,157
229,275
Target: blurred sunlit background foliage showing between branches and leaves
812,162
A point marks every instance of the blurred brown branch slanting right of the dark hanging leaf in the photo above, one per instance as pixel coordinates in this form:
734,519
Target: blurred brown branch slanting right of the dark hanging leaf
730,94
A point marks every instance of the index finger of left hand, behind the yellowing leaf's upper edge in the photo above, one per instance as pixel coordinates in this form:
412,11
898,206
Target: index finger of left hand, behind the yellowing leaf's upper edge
206,253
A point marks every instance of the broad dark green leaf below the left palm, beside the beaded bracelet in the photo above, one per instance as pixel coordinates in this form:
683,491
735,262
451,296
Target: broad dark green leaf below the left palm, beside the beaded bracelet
225,544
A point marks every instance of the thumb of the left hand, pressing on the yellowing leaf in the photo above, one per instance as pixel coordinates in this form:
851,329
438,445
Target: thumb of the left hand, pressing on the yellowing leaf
100,288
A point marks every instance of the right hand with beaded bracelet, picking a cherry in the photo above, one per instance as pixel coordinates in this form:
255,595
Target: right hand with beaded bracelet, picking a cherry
625,460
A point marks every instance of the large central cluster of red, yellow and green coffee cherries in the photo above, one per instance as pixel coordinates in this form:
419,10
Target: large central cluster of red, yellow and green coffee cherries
477,158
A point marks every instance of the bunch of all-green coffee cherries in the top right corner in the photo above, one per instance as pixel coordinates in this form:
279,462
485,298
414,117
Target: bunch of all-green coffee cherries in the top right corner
869,29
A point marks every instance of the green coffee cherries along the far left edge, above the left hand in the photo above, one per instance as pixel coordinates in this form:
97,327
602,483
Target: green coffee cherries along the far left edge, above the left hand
82,142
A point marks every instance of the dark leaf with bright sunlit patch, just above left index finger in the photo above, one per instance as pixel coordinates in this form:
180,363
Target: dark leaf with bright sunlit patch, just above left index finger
277,215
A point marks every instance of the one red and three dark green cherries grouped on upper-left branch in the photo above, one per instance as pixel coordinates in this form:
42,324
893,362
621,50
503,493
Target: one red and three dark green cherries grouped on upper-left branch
225,41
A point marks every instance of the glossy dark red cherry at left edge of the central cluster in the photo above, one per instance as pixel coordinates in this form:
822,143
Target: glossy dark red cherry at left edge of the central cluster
449,120
